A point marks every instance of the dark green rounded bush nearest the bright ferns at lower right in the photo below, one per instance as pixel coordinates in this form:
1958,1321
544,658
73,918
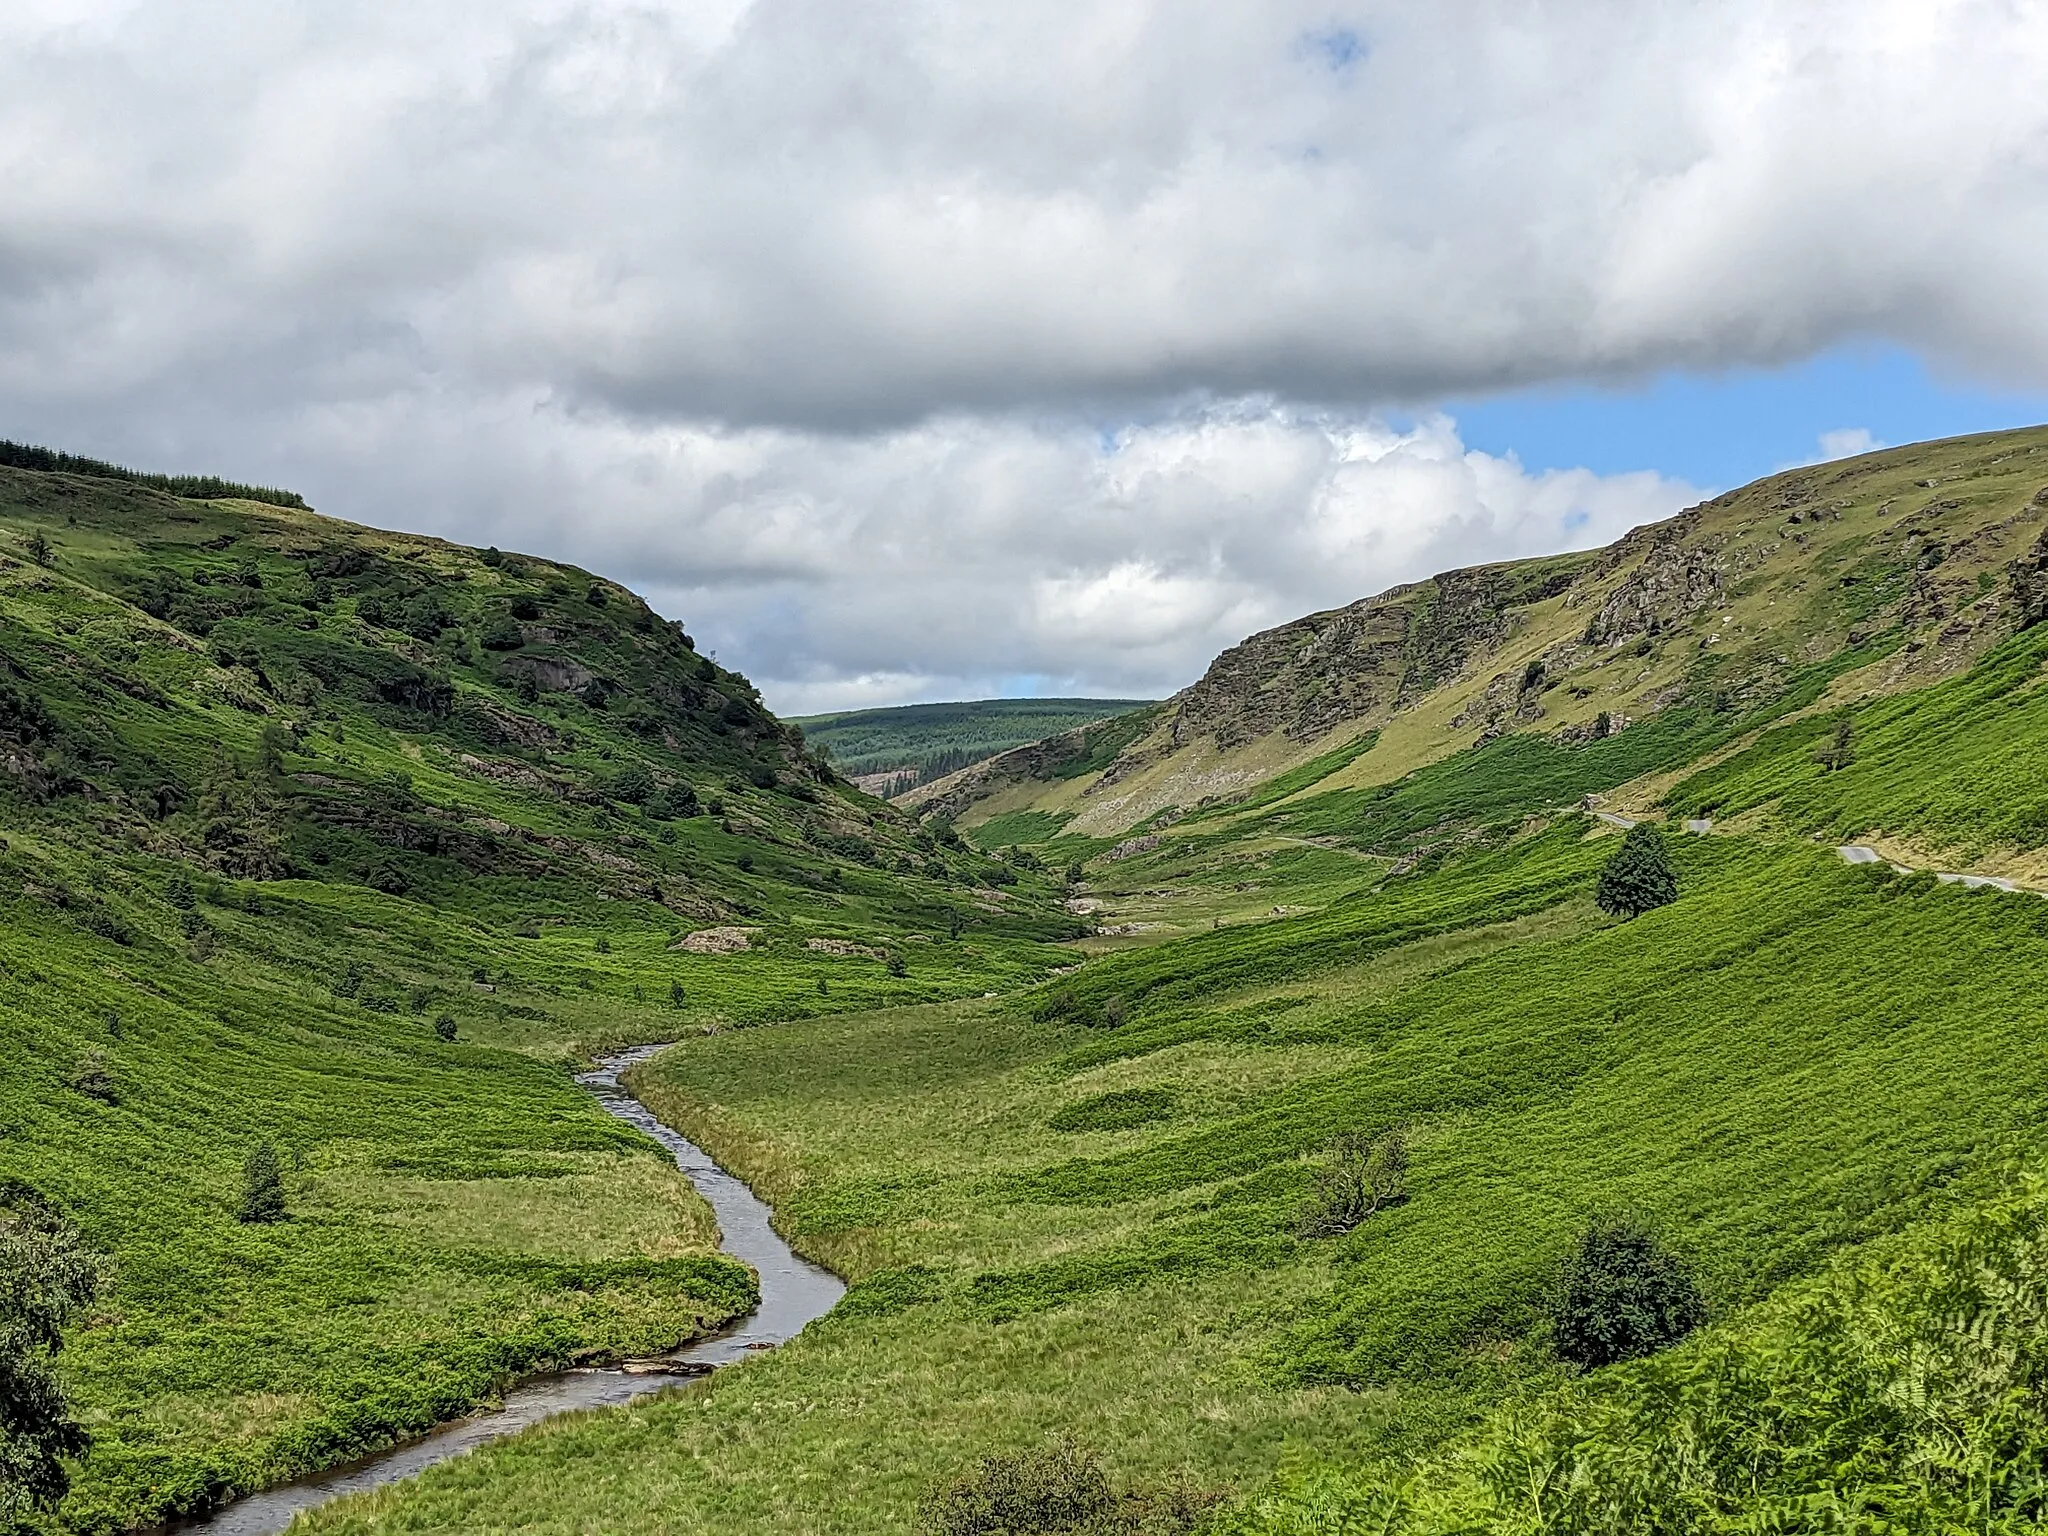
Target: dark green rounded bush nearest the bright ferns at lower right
1621,1295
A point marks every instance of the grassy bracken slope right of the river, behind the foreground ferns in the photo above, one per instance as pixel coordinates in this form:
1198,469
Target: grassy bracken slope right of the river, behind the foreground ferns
1793,1062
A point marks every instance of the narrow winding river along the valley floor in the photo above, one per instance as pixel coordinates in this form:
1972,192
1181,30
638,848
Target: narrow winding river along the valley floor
794,1293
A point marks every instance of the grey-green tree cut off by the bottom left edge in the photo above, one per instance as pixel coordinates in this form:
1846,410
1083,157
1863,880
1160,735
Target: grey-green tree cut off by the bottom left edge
46,1281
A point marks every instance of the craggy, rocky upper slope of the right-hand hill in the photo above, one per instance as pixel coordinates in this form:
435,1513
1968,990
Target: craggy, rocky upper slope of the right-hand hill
1873,577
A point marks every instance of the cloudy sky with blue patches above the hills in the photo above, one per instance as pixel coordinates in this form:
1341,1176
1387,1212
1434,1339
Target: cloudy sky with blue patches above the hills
931,351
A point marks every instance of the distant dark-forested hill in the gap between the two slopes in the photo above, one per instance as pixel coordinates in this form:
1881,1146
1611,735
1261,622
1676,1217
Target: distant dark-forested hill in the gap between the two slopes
896,751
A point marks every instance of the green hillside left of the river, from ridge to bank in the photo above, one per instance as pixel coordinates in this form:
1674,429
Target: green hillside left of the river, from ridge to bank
282,804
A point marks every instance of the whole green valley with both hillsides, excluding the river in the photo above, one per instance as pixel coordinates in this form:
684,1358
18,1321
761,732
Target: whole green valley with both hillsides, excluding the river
361,845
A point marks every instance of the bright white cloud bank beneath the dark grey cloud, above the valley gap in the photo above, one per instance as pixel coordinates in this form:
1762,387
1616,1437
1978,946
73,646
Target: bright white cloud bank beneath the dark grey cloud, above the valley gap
974,556
